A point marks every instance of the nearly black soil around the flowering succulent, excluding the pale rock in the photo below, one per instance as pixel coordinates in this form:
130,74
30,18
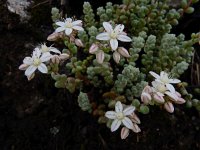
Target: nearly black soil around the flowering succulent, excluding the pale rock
32,112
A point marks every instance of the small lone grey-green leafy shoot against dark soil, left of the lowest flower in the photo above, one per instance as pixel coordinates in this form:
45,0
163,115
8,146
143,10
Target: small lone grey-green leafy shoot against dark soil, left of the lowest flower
84,102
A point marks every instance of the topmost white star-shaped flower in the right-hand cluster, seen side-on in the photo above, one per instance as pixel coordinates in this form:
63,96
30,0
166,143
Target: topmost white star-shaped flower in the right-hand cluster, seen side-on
165,79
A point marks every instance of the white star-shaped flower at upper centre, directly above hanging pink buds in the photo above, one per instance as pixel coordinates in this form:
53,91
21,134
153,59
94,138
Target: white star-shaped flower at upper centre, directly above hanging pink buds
113,35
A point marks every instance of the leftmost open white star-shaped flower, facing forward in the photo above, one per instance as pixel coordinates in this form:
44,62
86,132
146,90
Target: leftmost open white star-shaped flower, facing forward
36,62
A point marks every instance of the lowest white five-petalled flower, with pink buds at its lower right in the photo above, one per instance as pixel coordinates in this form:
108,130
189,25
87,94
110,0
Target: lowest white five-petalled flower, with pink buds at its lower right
120,116
